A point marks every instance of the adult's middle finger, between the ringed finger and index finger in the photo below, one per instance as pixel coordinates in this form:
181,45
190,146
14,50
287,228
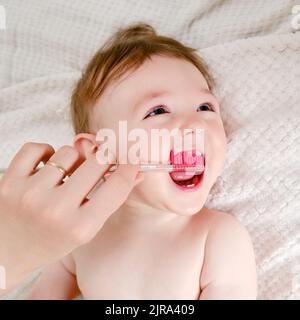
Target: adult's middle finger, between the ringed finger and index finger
84,179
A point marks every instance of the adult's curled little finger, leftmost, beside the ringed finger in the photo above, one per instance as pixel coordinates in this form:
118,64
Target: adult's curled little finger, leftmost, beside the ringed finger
28,157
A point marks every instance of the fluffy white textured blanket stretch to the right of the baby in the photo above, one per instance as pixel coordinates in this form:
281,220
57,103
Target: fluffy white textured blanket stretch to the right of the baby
258,87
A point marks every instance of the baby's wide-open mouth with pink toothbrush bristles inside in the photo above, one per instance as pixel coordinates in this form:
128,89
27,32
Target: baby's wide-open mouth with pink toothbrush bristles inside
191,158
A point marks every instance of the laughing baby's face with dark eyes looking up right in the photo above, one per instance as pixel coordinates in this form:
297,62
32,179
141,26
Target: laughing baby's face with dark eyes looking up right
184,102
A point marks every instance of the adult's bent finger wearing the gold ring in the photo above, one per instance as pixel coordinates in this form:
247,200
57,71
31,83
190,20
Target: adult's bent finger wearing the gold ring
67,158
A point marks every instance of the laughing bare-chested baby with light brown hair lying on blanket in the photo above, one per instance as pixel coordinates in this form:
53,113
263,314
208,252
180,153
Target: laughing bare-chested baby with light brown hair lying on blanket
161,243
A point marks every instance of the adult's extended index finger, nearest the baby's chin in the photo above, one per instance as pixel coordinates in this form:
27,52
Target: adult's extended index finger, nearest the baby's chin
110,195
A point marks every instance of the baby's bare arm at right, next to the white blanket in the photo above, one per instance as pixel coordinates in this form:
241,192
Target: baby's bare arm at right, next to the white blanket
229,270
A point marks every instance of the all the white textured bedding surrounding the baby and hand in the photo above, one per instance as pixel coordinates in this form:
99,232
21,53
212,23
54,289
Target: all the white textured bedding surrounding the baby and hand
255,57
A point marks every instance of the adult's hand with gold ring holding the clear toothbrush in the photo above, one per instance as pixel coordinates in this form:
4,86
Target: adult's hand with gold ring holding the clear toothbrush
42,217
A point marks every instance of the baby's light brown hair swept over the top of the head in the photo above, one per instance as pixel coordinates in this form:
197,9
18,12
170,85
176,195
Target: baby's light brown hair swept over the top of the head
125,50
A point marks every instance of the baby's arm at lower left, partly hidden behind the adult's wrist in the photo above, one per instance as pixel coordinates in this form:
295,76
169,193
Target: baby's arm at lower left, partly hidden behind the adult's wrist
56,282
